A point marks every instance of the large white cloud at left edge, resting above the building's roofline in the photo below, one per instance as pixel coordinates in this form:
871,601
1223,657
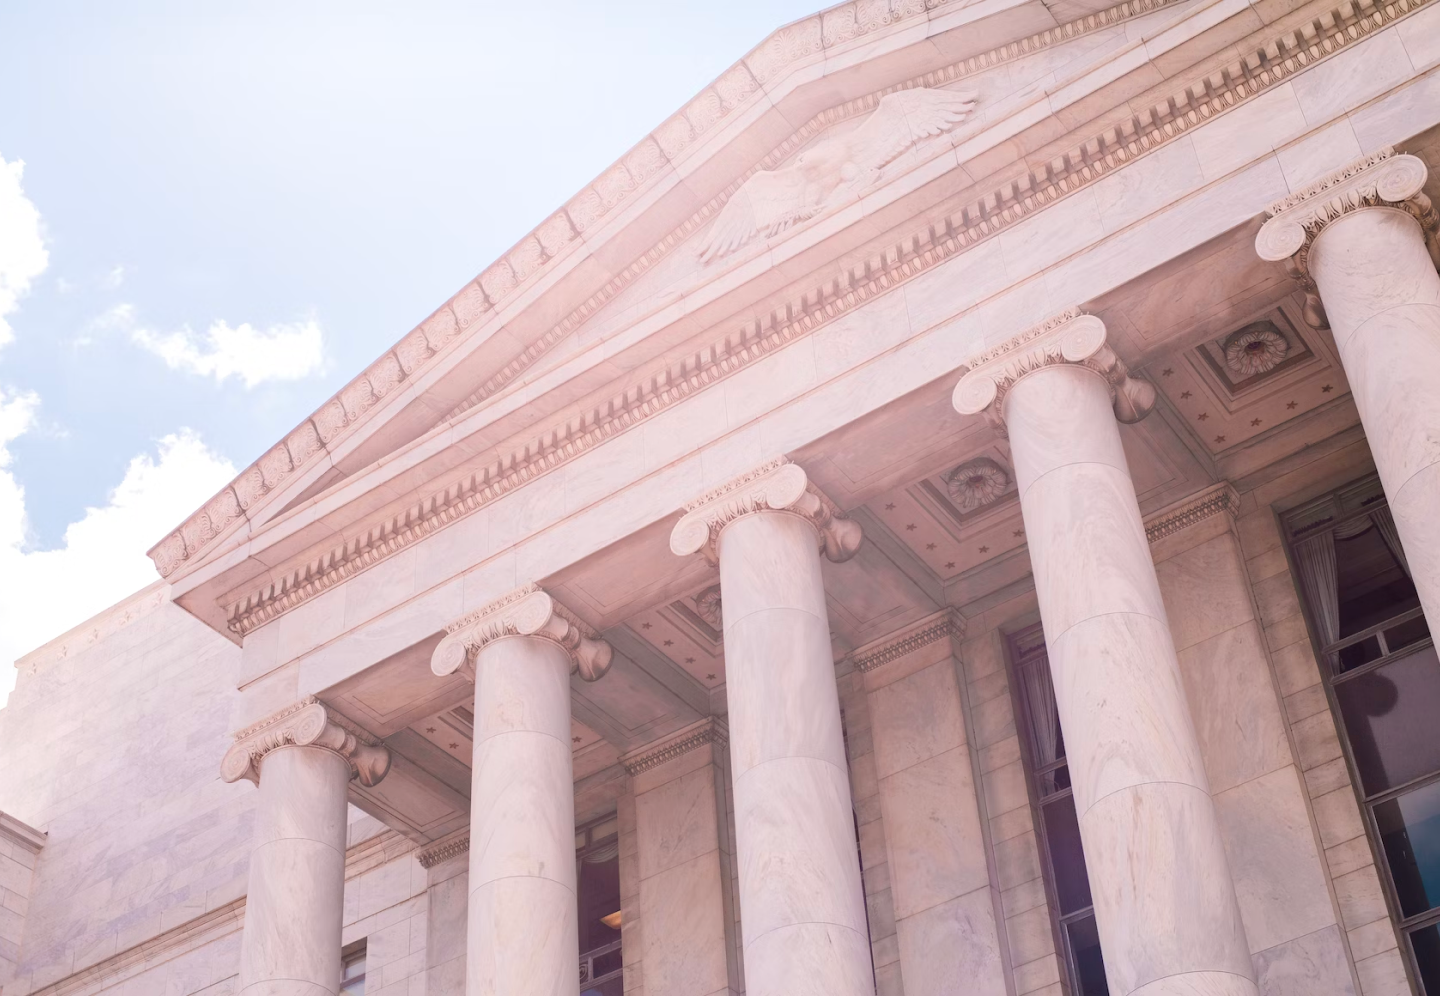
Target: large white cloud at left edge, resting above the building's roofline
103,559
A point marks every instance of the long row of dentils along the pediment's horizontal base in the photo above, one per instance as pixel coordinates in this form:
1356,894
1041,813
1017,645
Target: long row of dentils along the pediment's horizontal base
830,297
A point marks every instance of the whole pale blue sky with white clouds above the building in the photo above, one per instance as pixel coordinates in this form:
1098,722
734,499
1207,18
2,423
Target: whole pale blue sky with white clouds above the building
214,215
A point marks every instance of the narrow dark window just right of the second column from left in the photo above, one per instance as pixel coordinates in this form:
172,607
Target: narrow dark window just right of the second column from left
598,882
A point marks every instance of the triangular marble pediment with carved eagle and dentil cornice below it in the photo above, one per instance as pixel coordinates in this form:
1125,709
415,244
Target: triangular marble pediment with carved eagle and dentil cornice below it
518,372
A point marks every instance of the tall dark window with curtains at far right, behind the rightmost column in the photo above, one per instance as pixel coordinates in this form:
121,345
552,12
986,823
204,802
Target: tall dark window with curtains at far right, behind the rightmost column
1385,686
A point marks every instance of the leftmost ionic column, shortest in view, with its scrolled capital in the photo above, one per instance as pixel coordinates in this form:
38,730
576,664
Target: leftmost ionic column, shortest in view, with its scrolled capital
303,761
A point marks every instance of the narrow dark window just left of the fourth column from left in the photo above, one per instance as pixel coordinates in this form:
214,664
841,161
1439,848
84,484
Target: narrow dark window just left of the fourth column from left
1045,751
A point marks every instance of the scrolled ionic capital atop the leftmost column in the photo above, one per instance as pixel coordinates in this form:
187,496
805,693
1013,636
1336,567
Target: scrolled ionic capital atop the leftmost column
309,723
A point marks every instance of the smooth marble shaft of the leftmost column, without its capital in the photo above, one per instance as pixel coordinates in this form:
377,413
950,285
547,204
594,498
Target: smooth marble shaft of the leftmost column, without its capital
296,900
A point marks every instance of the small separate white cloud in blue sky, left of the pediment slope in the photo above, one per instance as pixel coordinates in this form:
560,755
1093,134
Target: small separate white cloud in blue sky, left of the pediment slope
253,355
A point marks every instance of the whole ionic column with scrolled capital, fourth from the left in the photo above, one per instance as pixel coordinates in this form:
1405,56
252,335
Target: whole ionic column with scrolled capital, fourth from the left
1164,900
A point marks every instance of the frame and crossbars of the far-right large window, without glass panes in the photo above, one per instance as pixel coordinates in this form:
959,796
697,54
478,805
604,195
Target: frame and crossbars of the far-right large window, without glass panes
1353,502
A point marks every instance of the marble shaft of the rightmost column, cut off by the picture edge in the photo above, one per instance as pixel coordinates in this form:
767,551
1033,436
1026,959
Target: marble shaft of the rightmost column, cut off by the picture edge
1383,300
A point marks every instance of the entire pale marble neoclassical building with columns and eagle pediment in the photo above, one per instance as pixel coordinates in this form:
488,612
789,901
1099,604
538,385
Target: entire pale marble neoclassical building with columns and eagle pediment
954,512
